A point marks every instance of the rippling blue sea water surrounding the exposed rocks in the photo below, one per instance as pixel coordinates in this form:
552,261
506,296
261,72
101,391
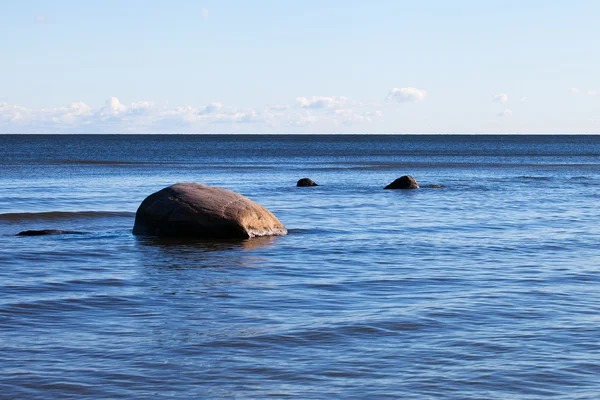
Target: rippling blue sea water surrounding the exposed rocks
486,287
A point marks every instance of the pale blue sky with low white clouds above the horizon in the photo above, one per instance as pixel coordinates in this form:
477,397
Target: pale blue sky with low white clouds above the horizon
285,66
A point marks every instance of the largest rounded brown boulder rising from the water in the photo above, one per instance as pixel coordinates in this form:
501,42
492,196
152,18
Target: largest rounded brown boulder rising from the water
196,210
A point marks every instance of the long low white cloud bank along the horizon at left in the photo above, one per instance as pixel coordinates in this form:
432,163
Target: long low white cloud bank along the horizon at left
114,116
